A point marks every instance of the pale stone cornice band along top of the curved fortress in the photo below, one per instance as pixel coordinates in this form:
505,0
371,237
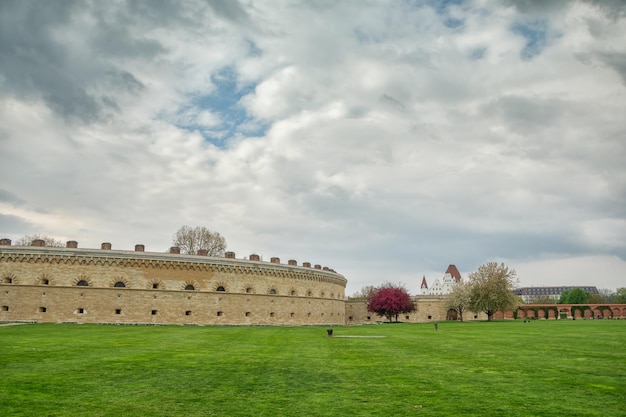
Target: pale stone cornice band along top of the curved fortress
132,259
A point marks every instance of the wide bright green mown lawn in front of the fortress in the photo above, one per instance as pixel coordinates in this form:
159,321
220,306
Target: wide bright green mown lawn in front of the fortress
545,368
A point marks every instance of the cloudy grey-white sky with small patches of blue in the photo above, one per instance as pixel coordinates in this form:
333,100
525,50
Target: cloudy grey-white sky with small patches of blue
382,139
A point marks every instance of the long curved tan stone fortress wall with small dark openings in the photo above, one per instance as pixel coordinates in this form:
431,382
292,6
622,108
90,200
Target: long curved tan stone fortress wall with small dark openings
71,284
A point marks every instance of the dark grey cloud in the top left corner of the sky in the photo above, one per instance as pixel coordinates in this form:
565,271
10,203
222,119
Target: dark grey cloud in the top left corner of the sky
35,64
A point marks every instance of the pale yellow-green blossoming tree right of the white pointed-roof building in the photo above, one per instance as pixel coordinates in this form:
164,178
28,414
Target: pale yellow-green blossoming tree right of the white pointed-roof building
492,289
